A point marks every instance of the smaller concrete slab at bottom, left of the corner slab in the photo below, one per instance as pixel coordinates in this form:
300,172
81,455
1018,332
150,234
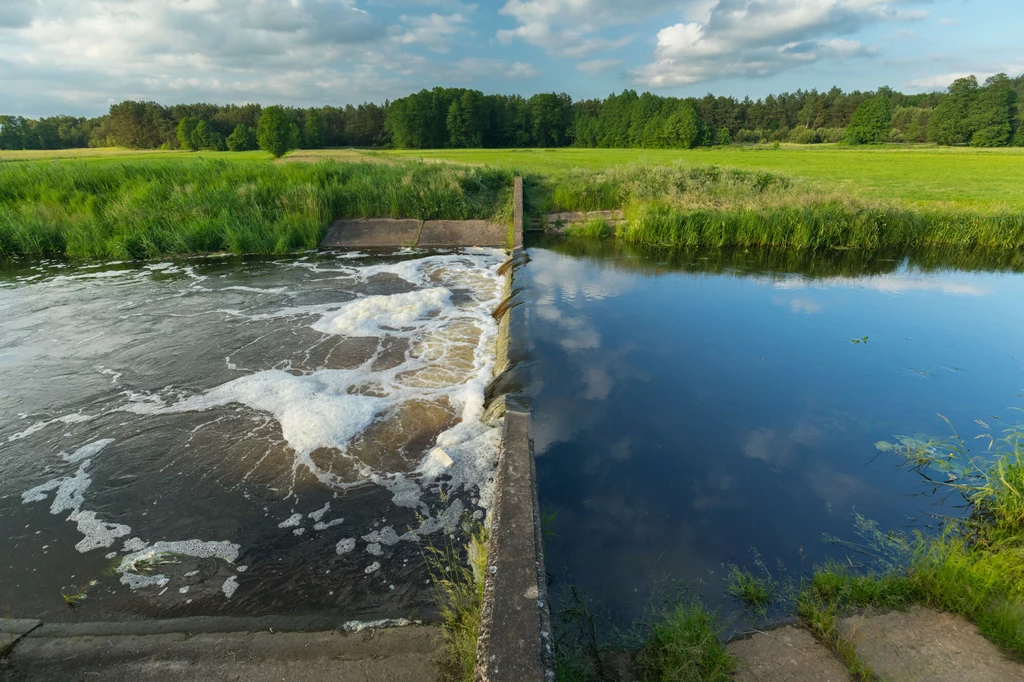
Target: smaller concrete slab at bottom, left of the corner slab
785,655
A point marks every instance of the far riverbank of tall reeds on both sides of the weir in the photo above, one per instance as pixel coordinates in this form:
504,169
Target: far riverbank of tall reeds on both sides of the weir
135,209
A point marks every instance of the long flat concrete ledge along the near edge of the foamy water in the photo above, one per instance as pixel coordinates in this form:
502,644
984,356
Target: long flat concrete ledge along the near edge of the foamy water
402,655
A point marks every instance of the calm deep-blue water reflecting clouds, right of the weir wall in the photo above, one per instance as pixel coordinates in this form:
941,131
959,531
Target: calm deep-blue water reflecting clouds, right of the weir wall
693,409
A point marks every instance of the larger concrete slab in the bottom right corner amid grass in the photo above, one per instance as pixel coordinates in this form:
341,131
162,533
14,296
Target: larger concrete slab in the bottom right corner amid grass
922,645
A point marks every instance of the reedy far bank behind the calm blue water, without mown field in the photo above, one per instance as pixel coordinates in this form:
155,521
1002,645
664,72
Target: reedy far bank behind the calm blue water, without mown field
708,206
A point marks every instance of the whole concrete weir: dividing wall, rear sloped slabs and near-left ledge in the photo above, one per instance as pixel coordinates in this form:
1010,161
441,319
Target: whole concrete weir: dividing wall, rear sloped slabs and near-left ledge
515,644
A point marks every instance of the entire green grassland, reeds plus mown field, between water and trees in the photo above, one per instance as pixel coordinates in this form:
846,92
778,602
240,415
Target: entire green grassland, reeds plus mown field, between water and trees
122,203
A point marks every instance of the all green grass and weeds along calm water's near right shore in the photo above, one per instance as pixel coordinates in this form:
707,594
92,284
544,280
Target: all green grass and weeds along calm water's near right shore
974,568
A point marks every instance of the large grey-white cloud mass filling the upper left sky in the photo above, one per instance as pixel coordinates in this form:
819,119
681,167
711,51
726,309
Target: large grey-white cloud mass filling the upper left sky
67,56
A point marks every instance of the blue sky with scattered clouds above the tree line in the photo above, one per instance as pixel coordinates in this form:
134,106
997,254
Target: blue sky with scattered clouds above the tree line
78,57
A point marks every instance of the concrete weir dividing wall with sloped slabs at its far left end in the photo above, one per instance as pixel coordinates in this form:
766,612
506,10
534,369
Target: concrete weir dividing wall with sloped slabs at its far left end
516,634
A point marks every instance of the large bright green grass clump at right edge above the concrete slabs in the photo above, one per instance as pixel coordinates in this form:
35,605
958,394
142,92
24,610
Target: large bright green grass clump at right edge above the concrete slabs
975,568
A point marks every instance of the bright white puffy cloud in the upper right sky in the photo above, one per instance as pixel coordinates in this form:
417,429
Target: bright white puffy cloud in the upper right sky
758,38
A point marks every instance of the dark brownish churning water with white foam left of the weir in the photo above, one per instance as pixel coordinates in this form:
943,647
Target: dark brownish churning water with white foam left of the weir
218,437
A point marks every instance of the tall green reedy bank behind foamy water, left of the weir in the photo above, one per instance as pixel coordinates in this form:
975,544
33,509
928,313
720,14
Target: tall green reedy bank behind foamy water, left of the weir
146,209
